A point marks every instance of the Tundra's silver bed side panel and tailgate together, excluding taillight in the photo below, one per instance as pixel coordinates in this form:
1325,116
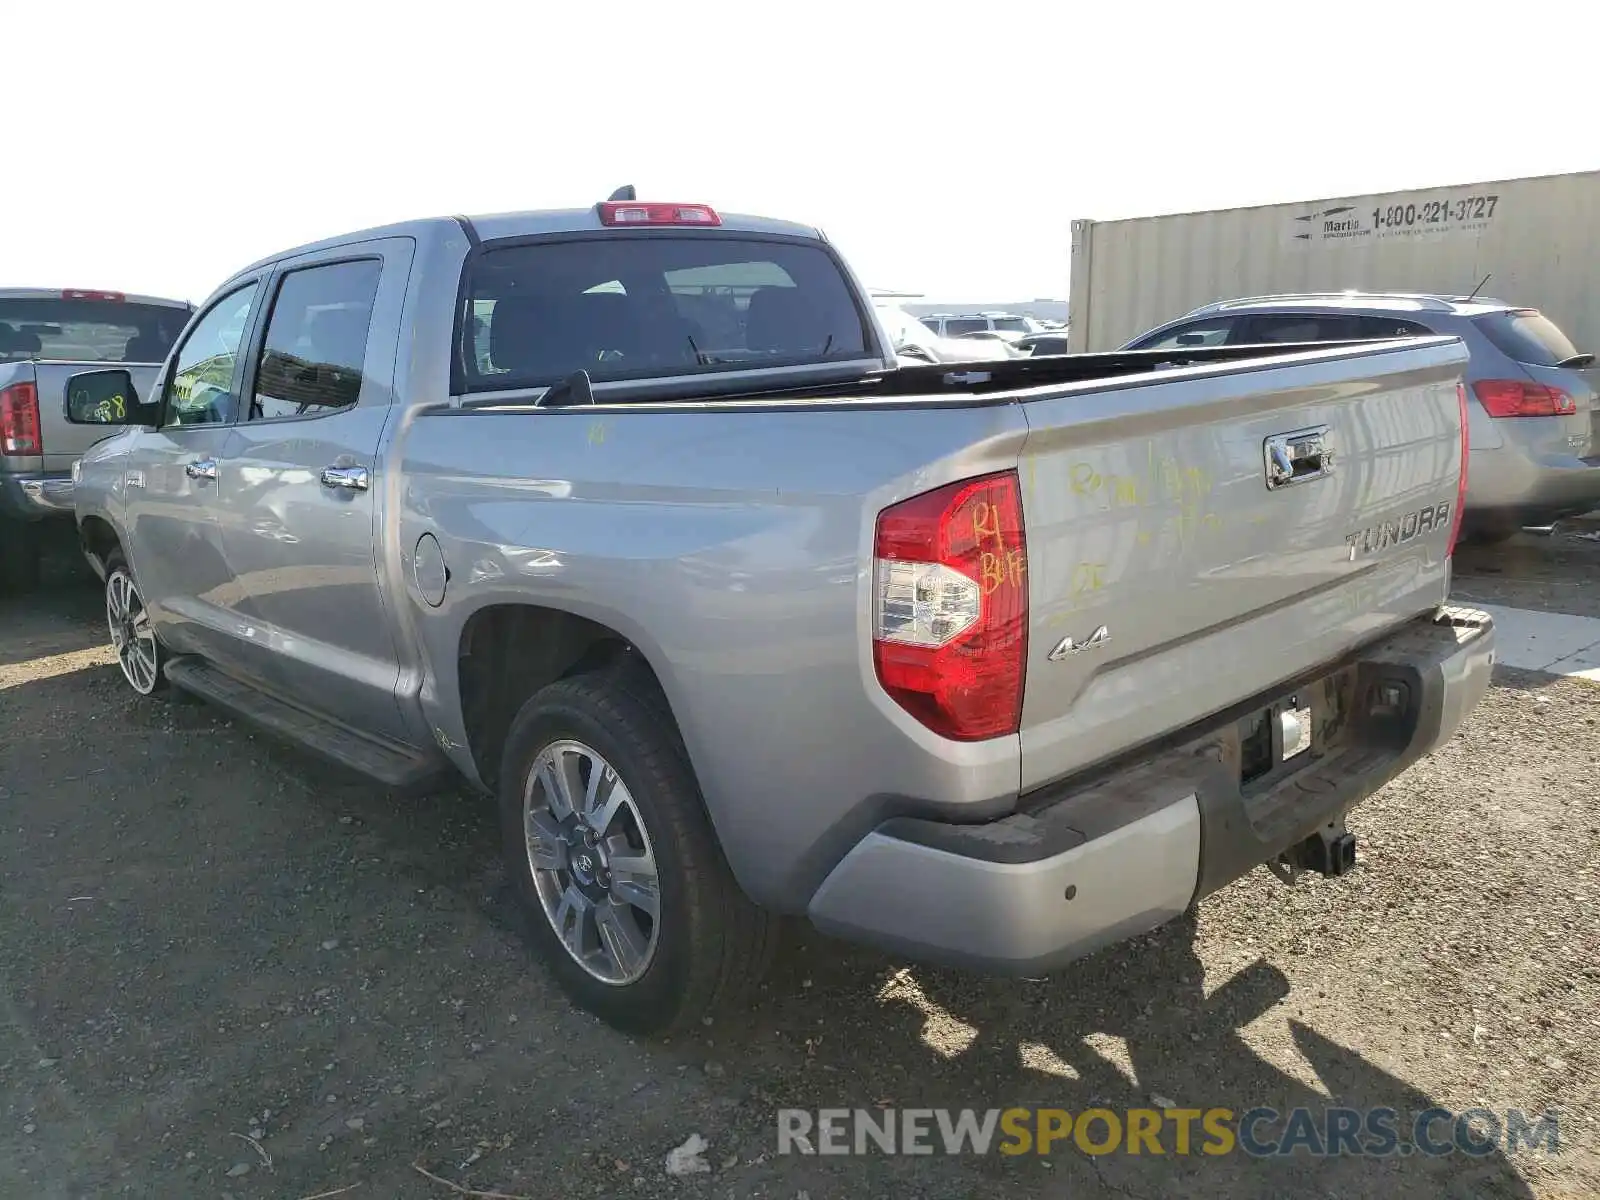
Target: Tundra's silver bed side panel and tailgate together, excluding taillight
730,540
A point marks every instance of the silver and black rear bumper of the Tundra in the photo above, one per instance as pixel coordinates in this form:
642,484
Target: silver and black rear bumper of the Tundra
1103,862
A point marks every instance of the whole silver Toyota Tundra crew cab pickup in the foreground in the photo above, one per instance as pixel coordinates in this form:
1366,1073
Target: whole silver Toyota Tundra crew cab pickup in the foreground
628,516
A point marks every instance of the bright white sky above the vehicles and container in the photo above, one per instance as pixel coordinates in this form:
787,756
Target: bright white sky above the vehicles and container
159,146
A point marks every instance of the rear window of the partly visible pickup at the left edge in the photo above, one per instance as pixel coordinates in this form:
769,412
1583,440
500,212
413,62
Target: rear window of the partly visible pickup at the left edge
87,330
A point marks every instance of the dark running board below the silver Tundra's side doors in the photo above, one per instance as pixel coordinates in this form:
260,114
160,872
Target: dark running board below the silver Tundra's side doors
383,762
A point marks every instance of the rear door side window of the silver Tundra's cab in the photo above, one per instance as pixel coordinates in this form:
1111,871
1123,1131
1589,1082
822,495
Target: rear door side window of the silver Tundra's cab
316,345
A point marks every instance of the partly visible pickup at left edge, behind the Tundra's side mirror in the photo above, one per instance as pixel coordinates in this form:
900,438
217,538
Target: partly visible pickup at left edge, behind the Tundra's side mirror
47,337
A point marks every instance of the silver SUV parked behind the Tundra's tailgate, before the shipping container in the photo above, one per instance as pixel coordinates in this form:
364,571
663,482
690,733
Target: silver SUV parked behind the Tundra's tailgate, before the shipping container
1534,415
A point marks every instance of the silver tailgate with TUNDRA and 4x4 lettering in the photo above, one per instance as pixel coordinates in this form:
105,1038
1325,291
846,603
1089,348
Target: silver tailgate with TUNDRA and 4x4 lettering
1167,582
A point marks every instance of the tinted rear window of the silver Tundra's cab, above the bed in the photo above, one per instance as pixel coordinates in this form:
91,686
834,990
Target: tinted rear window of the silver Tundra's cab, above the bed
633,308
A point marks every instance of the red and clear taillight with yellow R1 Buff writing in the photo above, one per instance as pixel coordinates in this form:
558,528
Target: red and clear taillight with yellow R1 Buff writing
950,622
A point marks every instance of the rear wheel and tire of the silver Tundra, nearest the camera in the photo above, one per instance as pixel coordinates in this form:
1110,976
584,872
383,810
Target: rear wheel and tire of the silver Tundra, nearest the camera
630,900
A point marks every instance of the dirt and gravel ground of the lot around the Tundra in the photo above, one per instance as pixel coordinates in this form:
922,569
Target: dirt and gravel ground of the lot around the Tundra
226,974
